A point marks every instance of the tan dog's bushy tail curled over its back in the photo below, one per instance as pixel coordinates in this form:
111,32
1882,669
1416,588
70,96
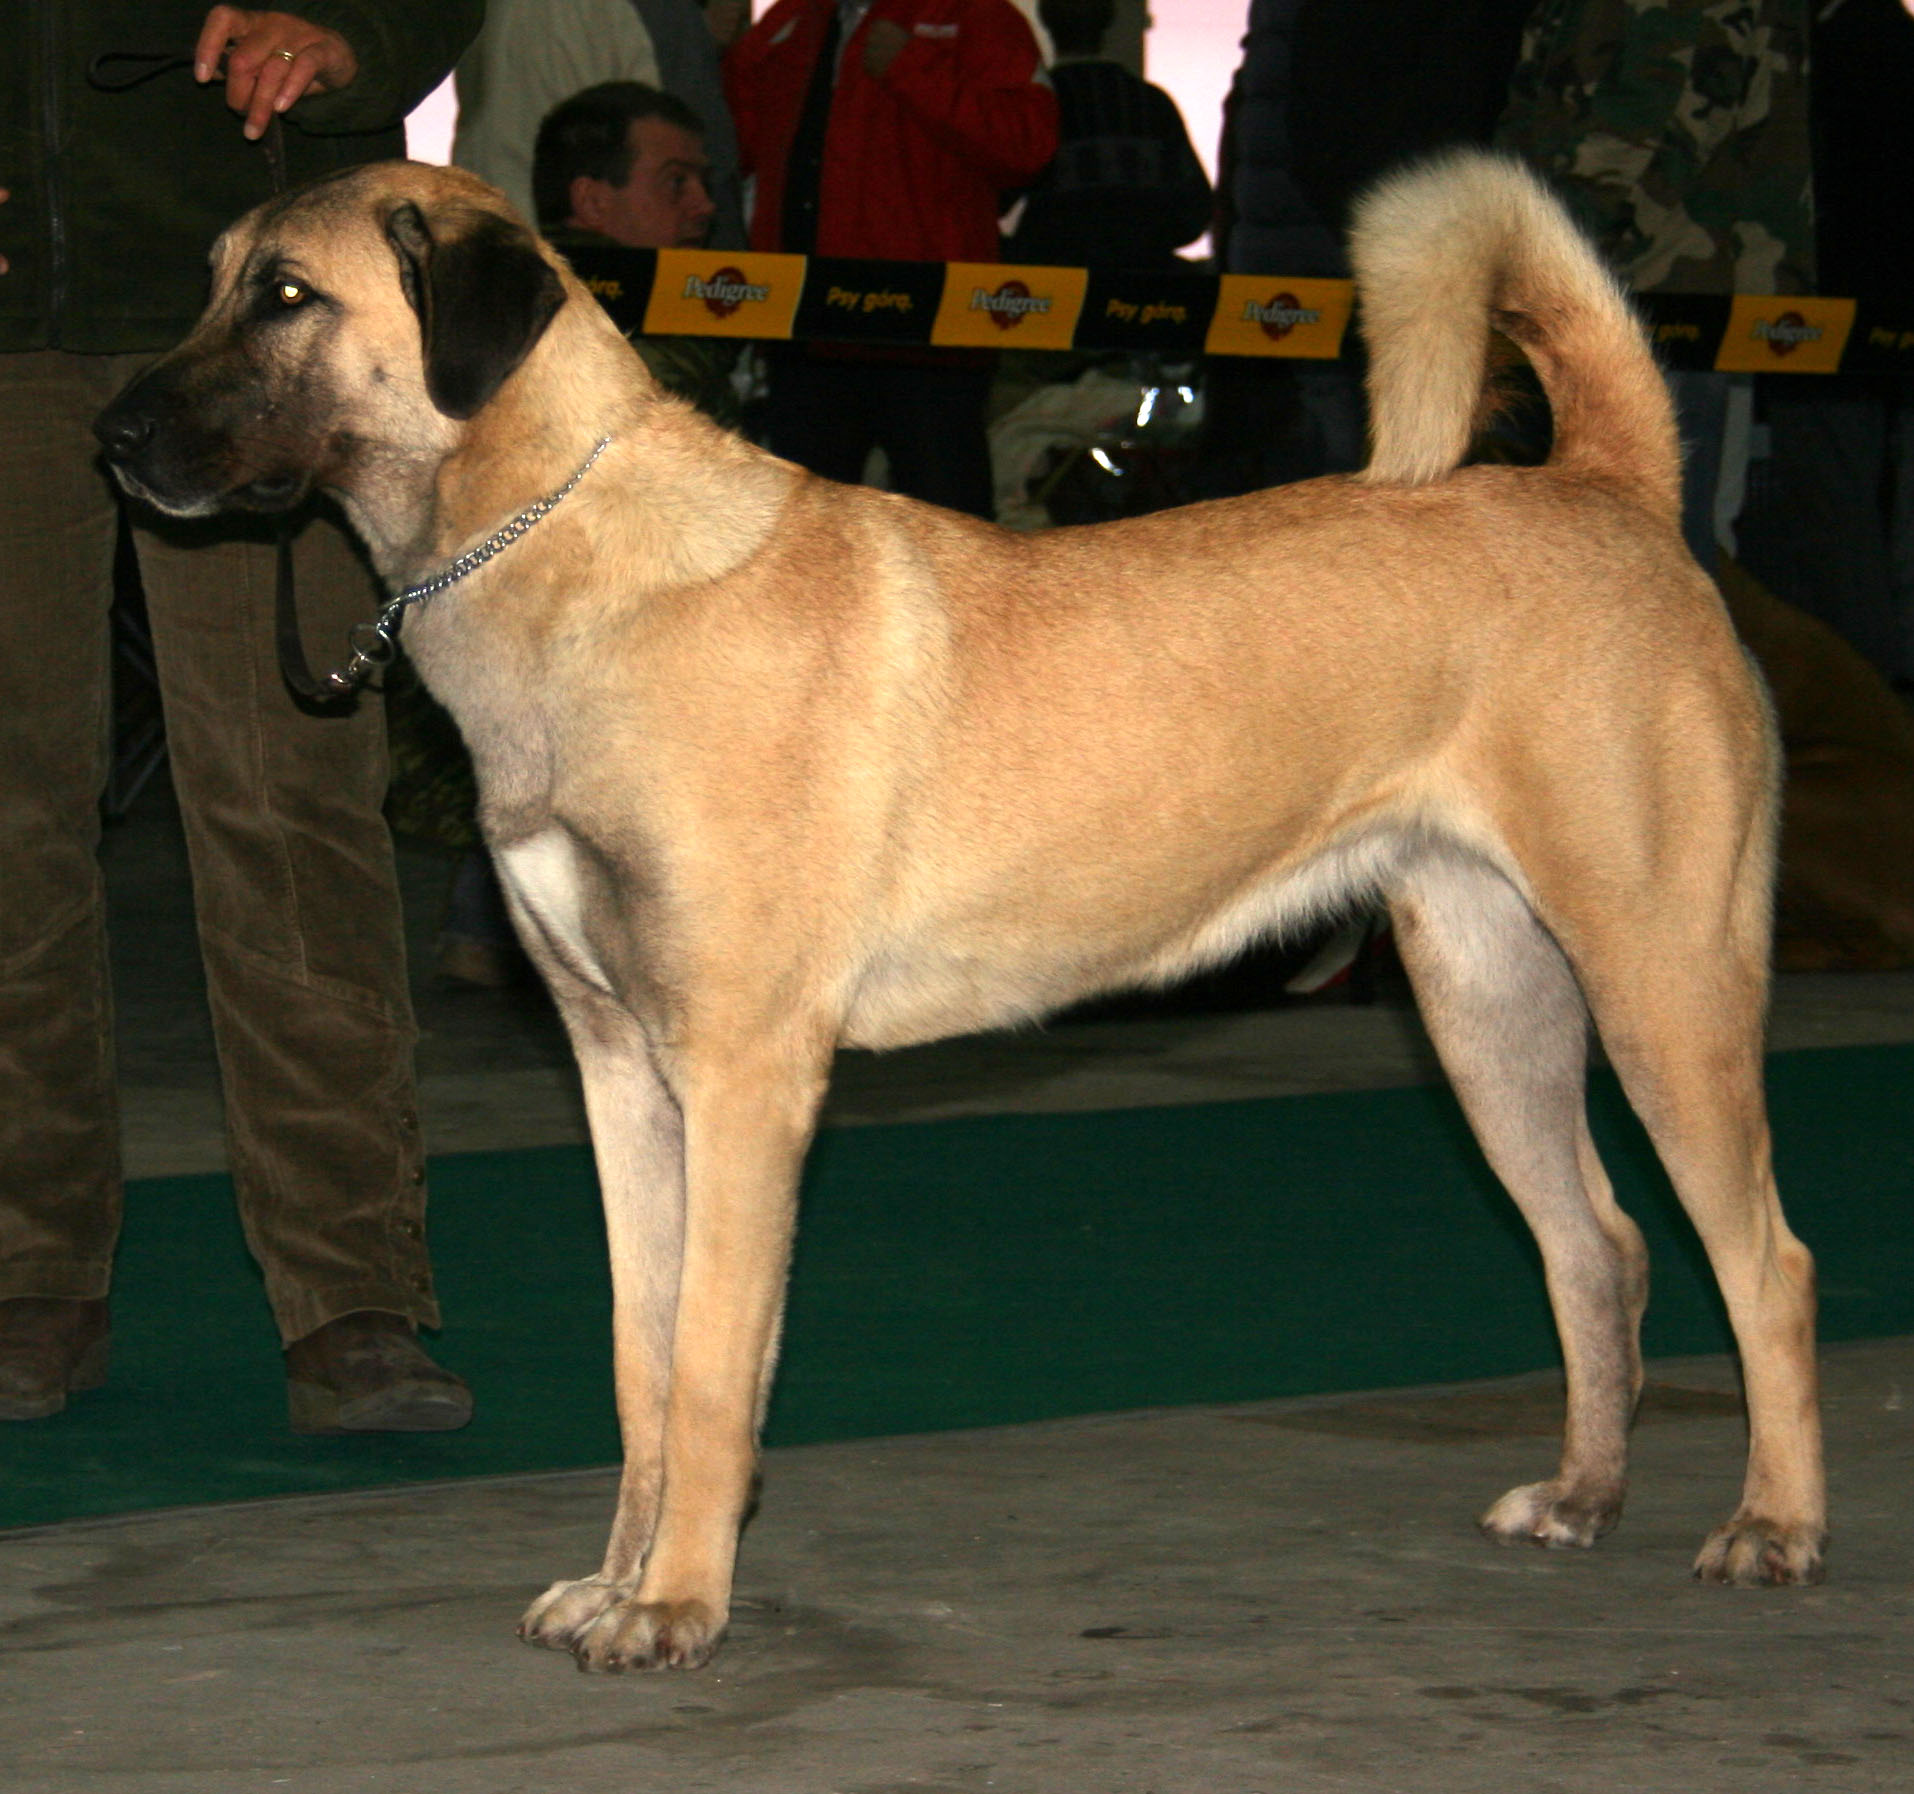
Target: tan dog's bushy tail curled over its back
1471,242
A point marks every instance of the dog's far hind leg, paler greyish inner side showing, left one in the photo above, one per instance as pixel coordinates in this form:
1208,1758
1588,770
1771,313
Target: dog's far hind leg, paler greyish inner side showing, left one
1511,1027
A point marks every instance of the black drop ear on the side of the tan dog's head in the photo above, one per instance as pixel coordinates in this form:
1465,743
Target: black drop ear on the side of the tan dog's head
483,300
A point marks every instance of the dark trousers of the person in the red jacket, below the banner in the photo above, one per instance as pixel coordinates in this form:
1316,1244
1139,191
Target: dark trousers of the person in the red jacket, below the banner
828,415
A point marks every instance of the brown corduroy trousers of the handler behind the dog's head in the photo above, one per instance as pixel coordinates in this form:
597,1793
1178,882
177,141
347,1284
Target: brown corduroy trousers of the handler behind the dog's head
294,886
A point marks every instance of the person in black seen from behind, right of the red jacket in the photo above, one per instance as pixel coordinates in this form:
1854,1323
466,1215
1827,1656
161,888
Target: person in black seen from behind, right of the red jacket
1126,191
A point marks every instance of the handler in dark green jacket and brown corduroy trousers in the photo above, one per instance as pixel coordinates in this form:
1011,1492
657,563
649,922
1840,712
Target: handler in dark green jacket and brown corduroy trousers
131,135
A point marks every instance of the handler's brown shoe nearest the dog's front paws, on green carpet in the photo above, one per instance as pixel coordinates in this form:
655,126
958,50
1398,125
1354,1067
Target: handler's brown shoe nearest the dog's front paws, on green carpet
368,1374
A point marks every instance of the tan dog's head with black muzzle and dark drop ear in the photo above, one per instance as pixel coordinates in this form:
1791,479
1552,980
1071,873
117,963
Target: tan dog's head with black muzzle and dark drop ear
353,325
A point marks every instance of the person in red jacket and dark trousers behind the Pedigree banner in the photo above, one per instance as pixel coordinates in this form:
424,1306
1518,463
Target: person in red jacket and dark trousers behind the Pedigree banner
889,129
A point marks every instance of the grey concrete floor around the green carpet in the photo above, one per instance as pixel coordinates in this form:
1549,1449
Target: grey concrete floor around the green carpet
1199,1602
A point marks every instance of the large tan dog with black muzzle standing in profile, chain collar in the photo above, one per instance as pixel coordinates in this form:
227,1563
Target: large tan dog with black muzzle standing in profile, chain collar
774,765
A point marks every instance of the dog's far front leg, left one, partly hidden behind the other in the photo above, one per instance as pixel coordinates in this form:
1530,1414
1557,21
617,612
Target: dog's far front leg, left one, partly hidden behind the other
638,1144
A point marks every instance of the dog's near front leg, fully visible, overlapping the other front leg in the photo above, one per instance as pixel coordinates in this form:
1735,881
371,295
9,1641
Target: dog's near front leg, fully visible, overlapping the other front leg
747,1119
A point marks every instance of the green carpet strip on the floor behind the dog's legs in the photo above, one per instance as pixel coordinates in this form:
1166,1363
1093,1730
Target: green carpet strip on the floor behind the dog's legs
977,1272
